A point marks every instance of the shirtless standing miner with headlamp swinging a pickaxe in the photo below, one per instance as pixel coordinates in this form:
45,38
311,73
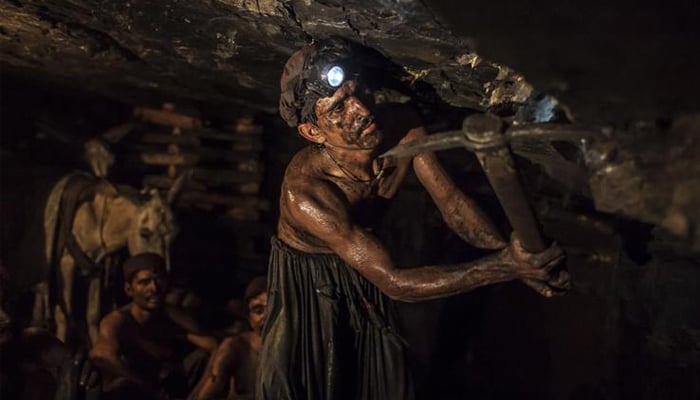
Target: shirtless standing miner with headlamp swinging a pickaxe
330,332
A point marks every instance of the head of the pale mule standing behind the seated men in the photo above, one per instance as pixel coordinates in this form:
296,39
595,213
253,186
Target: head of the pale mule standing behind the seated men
154,227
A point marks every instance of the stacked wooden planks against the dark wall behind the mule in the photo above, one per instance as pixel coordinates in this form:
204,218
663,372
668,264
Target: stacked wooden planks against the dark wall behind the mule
226,167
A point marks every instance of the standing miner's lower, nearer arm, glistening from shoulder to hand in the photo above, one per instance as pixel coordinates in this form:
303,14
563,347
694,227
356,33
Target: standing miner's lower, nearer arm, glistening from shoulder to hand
321,210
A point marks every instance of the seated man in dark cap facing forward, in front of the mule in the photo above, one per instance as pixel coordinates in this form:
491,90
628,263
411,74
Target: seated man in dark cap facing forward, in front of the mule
136,346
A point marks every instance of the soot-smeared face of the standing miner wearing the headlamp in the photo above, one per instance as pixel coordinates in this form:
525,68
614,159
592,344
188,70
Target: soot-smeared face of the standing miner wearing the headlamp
346,119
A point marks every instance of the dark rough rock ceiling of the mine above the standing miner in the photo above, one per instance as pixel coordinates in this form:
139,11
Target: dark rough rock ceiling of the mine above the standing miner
623,63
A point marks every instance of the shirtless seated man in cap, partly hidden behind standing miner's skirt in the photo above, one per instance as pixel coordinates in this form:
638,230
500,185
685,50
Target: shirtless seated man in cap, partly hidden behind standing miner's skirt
235,363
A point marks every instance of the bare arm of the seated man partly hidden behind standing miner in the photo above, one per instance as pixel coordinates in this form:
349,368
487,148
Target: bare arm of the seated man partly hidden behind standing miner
219,373
